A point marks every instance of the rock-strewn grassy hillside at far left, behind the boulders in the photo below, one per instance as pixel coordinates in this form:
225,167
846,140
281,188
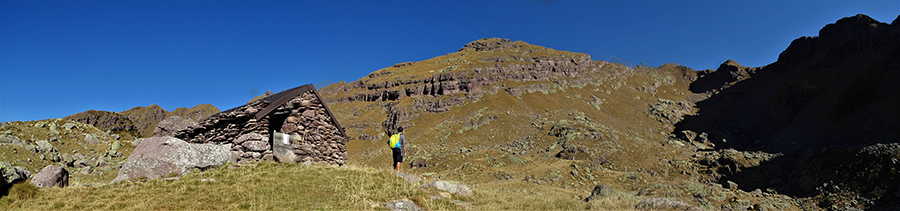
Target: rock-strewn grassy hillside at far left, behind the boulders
100,153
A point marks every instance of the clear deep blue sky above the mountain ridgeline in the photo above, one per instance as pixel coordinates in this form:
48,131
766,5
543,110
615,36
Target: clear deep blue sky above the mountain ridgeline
62,57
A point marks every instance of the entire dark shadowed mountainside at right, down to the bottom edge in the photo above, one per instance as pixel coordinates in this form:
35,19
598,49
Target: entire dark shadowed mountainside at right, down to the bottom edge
828,103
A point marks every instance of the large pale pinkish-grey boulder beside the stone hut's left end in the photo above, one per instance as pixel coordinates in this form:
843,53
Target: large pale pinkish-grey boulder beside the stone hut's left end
157,157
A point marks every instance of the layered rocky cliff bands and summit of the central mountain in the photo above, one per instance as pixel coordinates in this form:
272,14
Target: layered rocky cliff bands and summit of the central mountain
456,78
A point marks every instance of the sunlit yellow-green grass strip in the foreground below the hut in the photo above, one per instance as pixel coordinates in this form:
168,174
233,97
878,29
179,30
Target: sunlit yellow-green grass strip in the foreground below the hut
283,186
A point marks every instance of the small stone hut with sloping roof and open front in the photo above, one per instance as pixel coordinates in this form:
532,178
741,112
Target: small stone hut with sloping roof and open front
290,126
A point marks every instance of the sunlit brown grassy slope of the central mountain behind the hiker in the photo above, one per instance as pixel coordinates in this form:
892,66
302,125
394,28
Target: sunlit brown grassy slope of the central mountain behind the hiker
606,124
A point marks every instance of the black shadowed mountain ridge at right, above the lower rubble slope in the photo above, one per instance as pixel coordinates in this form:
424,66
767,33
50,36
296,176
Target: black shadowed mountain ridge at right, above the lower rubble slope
822,91
